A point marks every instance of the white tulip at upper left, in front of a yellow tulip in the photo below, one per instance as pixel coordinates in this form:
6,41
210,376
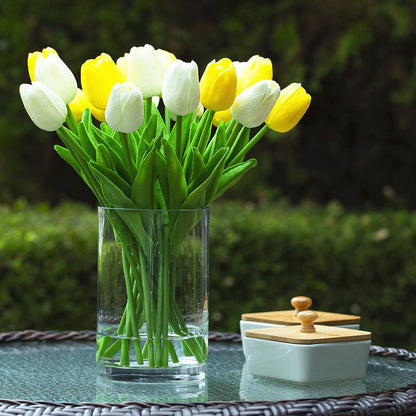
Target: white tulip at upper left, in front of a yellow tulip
53,72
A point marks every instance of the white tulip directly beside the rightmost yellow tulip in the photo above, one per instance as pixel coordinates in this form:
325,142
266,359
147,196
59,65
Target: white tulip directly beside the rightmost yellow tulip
253,105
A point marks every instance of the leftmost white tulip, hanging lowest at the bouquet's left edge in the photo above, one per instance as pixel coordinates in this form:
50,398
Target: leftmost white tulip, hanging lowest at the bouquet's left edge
46,109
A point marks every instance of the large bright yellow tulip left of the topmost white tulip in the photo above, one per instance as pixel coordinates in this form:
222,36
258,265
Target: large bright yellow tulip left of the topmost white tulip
98,76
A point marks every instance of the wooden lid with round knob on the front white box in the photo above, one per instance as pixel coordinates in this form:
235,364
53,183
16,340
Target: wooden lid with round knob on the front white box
308,333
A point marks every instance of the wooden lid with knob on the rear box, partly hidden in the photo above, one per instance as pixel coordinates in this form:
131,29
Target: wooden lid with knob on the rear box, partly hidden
289,317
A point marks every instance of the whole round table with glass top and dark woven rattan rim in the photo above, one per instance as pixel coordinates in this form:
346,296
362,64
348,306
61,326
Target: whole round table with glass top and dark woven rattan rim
53,373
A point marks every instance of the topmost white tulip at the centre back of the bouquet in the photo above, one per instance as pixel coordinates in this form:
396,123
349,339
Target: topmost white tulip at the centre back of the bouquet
145,70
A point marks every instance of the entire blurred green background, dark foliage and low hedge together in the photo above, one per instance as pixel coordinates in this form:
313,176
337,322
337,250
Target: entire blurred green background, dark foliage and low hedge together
356,145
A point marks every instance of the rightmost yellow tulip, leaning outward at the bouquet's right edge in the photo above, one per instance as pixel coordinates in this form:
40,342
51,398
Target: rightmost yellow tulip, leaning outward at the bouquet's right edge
289,108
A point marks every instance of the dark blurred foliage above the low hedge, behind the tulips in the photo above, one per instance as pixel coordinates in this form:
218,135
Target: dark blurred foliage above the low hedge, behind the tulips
356,57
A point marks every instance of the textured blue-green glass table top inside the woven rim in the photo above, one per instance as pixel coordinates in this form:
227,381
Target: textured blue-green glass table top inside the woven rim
66,372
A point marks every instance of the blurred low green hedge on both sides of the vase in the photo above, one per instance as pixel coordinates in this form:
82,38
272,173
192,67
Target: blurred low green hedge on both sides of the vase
362,263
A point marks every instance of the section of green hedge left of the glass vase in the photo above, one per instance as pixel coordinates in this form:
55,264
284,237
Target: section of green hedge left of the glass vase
47,267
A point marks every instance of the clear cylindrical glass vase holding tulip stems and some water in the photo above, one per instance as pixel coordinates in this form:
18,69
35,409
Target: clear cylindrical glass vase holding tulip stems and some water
152,316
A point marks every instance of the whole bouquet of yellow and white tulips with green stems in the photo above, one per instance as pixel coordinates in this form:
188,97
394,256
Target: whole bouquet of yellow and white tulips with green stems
133,155
